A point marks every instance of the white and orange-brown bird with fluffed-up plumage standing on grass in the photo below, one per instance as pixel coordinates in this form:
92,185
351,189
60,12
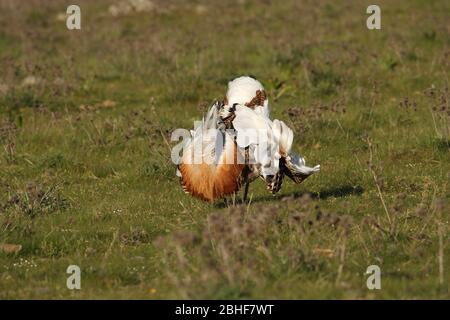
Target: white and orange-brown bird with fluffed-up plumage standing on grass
236,143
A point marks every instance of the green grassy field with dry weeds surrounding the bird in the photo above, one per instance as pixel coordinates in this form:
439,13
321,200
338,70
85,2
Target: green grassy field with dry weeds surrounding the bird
85,170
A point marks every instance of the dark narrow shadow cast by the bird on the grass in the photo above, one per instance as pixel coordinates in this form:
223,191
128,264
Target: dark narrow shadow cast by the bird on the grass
335,192
